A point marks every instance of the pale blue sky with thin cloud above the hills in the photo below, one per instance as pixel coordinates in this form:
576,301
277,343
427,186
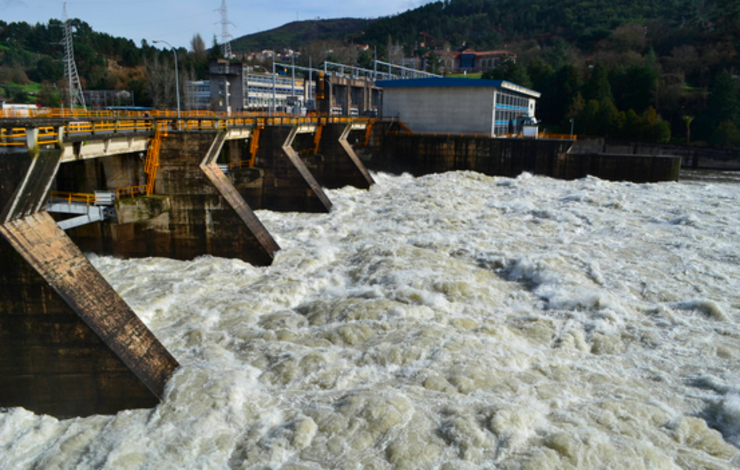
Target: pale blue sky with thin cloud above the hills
177,21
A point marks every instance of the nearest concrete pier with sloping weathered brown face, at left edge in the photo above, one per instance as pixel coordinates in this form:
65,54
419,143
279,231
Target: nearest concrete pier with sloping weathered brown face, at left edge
69,345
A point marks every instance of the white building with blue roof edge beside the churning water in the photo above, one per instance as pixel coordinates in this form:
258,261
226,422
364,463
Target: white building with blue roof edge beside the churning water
459,105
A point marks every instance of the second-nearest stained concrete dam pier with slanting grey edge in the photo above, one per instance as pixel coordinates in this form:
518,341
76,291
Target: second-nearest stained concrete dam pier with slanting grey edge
194,210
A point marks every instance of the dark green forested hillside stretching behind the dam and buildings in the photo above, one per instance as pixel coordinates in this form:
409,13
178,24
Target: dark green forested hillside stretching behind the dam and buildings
650,70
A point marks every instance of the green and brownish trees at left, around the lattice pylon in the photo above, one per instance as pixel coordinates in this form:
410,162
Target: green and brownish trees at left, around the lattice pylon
32,63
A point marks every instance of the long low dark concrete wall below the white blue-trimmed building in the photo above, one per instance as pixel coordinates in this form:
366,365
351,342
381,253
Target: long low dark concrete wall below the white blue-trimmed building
424,154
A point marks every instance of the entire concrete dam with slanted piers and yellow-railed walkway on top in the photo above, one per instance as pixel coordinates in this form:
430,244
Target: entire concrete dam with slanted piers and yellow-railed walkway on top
134,185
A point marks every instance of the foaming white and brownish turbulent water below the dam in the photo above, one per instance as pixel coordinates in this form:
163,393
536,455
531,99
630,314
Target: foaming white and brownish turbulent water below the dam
453,321
